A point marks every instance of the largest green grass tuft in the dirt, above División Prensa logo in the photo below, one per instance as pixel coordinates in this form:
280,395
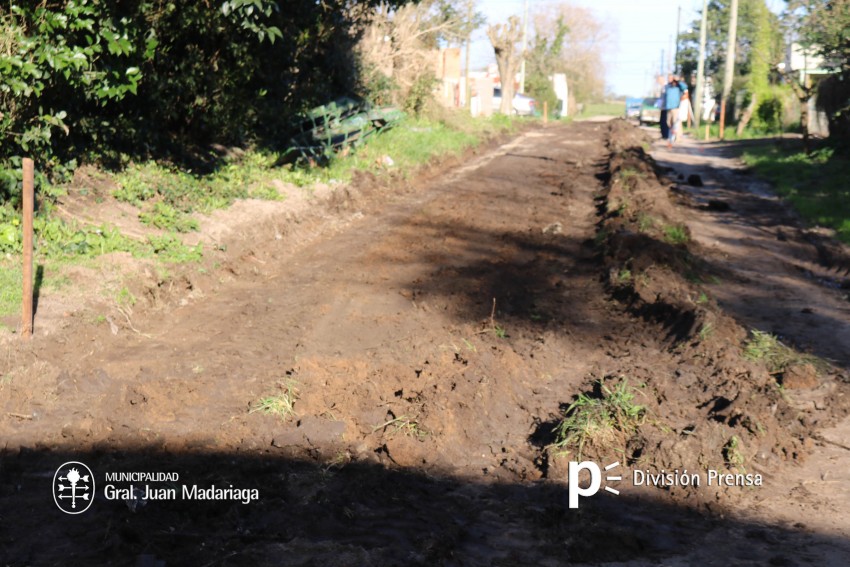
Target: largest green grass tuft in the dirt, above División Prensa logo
597,419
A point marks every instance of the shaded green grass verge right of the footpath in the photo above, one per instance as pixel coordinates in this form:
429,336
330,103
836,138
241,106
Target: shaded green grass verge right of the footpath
815,184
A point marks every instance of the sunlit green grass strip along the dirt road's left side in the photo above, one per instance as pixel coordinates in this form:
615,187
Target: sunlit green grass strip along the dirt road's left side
167,198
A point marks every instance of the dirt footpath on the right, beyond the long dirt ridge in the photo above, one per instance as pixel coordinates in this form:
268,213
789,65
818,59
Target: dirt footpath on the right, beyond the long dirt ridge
775,284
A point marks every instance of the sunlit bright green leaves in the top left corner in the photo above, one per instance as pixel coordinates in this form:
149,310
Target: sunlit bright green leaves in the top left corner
73,47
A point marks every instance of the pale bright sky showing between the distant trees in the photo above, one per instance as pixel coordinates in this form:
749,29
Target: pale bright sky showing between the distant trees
640,30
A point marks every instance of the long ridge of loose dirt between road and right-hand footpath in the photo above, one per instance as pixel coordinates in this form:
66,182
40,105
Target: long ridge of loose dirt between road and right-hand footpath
722,408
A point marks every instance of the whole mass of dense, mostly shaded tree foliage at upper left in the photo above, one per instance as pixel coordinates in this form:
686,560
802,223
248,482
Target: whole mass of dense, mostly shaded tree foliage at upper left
119,81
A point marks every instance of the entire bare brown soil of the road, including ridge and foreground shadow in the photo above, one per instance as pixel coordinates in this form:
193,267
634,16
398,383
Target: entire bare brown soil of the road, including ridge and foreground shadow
432,333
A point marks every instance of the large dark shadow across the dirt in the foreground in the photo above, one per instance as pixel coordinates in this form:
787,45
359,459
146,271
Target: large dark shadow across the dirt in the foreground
357,514
